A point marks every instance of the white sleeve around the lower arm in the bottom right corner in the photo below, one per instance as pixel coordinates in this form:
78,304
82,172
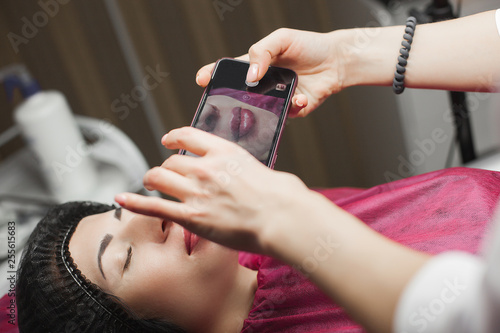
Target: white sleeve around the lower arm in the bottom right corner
454,292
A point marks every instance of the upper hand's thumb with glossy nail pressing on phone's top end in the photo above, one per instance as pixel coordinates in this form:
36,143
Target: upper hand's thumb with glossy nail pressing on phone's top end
264,51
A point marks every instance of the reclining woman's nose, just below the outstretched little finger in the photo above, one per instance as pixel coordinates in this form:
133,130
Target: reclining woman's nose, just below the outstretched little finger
141,228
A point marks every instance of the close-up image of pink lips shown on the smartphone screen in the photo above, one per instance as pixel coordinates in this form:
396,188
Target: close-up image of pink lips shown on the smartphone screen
231,118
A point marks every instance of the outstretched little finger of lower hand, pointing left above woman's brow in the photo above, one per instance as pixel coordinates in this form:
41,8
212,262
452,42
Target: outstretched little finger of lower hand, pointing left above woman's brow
154,206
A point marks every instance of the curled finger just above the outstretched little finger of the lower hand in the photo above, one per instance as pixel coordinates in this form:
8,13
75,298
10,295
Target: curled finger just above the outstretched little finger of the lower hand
168,182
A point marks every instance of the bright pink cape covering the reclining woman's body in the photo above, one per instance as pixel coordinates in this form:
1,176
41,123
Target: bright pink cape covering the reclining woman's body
435,212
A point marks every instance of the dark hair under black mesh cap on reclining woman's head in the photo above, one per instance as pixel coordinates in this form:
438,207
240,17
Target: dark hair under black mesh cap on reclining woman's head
54,296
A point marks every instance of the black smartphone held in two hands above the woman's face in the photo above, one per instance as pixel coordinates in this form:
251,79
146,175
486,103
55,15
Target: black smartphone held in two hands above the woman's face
252,116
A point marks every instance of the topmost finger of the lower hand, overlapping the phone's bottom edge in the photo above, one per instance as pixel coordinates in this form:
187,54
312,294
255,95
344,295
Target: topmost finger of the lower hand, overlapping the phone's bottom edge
195,141
